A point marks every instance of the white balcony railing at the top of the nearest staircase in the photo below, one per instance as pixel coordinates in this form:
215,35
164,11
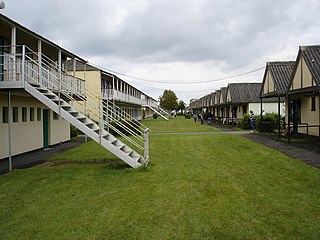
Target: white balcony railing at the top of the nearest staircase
33,67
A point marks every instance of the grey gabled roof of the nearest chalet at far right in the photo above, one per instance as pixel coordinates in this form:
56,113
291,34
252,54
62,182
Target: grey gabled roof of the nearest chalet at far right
311,55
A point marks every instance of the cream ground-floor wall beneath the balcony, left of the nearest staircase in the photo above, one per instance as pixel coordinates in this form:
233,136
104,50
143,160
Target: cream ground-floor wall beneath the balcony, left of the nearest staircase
28,136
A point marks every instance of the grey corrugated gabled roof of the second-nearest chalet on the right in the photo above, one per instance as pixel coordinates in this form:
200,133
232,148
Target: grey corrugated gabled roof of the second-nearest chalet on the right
281,72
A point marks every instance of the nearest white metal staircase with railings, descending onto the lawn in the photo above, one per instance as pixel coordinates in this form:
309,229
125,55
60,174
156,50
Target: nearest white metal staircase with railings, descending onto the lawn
51,87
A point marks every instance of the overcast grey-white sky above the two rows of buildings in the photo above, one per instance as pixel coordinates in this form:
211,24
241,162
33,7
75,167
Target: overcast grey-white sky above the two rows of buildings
176,42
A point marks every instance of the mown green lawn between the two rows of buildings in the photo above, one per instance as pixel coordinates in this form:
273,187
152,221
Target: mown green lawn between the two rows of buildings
197,186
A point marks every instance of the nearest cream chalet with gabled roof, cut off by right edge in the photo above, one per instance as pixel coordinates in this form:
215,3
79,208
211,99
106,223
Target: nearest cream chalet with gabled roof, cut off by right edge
303,101
